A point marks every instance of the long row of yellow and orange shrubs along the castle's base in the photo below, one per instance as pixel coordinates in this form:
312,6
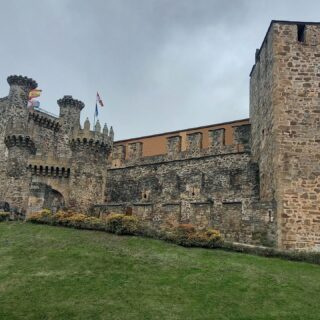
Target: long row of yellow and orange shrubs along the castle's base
184,234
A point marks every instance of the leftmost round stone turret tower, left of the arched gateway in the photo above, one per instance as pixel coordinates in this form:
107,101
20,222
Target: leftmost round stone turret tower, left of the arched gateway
16,142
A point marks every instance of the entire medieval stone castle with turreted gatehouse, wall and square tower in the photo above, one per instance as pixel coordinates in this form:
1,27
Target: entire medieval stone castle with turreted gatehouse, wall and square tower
256,180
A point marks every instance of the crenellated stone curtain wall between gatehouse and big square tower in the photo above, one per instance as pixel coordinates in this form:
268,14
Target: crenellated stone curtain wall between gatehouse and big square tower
213,187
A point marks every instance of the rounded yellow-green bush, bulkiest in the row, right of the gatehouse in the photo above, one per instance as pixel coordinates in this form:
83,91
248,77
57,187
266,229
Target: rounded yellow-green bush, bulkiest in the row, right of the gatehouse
122,224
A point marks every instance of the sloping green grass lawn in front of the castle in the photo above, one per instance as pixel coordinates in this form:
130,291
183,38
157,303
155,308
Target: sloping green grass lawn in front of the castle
58,273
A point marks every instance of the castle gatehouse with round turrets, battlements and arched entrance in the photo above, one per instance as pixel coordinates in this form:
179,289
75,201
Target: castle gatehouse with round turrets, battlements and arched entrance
49,161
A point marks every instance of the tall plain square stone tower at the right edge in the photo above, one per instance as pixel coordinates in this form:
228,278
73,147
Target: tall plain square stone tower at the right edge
285,123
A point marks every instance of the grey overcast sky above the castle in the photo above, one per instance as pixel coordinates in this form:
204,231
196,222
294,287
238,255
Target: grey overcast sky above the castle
159,65
